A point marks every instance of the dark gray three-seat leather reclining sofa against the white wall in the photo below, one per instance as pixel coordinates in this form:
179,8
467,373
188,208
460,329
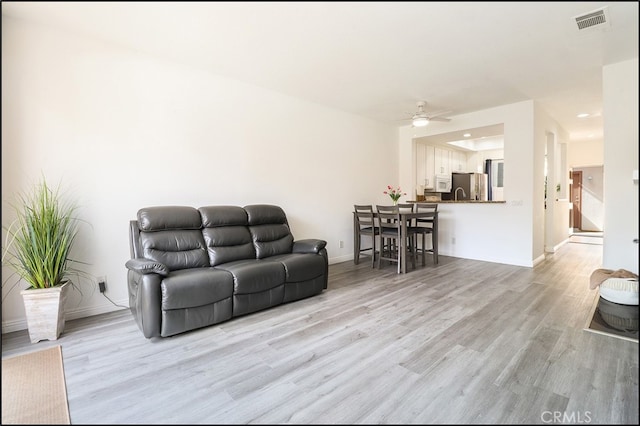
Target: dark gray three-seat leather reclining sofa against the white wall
192,268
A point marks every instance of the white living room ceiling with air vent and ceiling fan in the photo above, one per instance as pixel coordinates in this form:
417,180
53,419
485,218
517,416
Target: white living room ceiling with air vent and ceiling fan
377,59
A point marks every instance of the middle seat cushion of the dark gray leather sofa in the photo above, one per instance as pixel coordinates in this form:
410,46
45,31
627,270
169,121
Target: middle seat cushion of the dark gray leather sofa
254,276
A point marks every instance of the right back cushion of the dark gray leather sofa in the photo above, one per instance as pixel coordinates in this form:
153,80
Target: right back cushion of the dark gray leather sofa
269,230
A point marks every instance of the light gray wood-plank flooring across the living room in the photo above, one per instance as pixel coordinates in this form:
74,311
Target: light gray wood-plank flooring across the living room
461,342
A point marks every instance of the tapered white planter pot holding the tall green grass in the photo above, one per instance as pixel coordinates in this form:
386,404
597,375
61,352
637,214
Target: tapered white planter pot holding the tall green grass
45,311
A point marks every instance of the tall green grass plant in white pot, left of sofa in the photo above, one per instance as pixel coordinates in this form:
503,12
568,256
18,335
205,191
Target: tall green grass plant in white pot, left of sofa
37,247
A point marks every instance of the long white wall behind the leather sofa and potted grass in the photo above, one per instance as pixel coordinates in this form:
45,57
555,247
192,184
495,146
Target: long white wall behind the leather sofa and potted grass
122,130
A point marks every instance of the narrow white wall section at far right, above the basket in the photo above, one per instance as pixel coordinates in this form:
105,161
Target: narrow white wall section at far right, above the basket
620,95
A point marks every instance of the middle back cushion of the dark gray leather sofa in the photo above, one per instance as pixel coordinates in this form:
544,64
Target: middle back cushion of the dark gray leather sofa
226,234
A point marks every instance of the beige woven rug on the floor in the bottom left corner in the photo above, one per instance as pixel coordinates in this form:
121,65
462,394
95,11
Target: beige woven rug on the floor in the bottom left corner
34,389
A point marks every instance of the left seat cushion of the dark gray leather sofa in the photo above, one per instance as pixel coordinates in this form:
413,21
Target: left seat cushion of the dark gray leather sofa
189,288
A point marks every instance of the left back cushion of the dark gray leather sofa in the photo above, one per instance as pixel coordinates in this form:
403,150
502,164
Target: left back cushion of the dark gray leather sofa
172,235
